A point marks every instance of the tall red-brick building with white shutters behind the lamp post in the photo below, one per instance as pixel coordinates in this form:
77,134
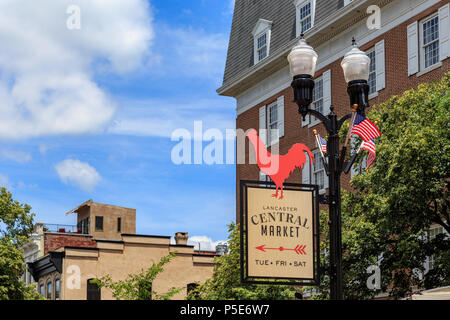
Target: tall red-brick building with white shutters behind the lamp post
411,47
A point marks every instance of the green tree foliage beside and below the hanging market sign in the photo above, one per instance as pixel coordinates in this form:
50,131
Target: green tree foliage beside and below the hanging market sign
225,284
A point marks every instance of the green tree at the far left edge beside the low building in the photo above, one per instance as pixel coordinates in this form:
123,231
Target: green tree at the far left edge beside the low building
16,225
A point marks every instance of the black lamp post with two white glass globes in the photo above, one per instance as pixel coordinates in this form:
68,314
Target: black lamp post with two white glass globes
302,60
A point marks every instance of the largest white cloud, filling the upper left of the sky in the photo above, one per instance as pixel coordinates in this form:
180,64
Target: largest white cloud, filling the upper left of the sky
47,71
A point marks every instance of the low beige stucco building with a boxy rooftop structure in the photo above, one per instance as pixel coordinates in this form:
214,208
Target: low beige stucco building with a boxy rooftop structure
114,249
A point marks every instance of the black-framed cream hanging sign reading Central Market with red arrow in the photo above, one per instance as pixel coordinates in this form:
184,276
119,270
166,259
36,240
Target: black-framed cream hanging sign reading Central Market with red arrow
279,236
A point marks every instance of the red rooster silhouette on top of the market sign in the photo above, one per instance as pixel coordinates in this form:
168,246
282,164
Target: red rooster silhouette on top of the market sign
279,167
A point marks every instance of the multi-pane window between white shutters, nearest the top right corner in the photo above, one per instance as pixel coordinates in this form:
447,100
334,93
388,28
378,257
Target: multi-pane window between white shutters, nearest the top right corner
430,42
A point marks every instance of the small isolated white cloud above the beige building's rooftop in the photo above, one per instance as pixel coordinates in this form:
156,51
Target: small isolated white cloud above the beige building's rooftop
81,174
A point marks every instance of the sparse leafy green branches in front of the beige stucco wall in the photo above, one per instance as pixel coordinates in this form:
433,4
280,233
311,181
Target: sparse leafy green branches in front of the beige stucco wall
139,286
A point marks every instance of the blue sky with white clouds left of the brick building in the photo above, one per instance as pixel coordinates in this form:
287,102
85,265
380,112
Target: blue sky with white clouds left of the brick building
88,113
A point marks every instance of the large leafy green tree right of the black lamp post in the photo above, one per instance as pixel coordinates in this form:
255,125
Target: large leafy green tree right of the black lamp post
387,216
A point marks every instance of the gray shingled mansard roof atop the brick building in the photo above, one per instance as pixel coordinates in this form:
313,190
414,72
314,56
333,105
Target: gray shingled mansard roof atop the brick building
281,13
